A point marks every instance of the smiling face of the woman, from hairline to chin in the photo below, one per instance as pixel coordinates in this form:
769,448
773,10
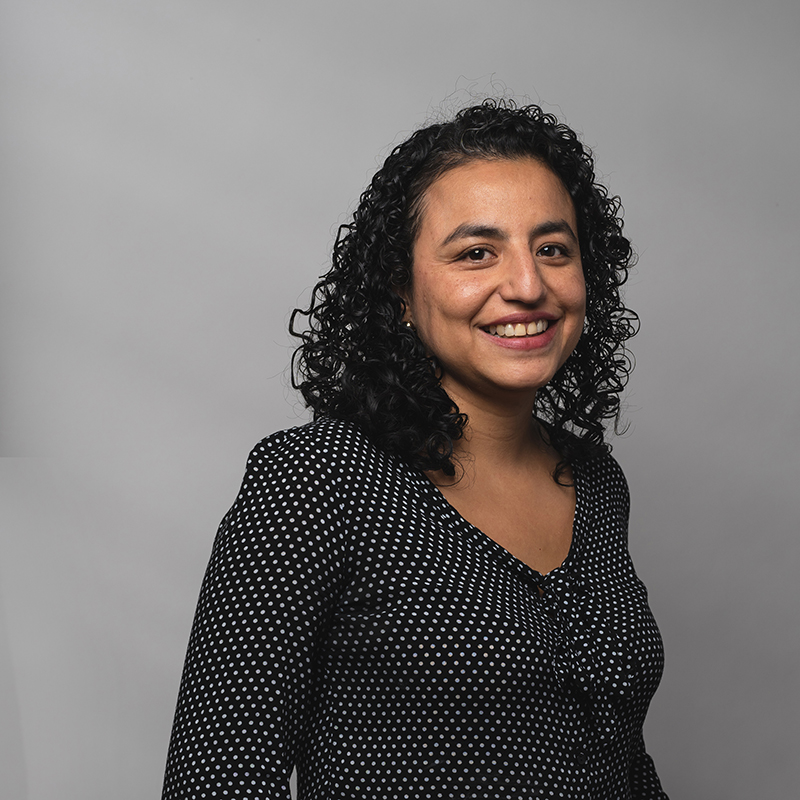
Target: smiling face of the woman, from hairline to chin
497,291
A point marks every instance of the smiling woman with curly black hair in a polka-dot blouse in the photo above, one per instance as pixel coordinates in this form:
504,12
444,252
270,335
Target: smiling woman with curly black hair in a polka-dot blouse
427,593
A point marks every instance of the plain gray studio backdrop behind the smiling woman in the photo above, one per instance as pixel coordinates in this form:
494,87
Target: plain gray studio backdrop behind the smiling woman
172,176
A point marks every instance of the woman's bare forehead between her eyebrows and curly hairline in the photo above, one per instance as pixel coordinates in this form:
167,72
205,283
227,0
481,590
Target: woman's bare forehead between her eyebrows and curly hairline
503,192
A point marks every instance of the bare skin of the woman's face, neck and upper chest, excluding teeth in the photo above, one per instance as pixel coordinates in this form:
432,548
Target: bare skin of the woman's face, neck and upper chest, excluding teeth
498,242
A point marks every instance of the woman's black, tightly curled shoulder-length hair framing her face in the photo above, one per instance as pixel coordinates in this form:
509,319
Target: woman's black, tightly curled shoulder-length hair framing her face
357,361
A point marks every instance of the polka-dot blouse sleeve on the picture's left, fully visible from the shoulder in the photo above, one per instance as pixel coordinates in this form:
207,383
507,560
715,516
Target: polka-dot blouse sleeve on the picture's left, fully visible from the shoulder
273,577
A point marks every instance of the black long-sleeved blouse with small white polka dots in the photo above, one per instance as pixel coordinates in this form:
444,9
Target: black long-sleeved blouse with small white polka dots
352,624
